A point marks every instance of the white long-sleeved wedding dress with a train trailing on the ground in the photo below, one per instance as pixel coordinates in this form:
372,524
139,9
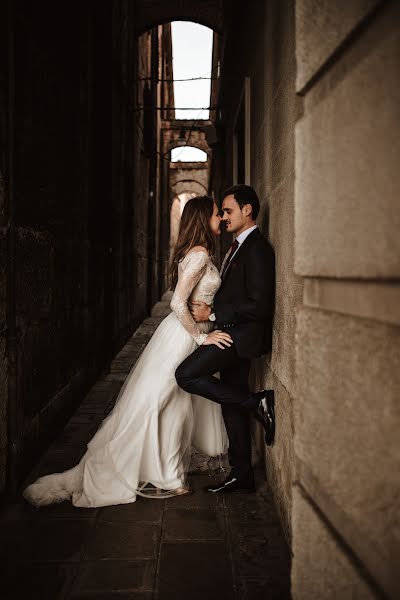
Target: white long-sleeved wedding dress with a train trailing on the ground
148,436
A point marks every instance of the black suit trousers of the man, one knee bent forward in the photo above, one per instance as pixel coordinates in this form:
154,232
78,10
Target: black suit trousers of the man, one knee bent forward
196,376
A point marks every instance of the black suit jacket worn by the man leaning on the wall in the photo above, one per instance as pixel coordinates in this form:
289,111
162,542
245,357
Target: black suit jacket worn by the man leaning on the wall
244,304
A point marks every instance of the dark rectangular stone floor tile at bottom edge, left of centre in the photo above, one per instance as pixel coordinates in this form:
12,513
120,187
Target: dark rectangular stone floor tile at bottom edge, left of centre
114,575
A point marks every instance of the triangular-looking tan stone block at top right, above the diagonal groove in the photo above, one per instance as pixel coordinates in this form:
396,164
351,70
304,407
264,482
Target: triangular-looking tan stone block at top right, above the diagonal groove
321,26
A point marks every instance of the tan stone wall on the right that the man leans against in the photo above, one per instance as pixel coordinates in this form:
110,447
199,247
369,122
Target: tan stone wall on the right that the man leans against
323,142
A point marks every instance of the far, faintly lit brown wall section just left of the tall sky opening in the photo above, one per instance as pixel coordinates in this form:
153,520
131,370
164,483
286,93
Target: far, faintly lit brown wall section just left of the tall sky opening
151,167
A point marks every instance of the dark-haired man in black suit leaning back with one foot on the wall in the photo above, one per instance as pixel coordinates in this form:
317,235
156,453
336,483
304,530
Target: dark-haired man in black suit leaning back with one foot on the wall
243,307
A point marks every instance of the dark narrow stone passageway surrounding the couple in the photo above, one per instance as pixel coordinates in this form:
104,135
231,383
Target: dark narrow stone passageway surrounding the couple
304,107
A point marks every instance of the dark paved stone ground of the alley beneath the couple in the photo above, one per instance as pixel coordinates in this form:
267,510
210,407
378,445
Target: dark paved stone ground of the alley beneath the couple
195,547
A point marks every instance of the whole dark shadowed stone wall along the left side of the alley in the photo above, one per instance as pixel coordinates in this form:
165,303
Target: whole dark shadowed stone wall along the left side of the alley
76,207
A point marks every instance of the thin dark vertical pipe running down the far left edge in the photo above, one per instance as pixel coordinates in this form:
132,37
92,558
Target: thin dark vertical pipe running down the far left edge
11,343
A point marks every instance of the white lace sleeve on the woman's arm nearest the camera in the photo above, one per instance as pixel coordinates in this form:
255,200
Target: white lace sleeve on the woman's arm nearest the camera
190,272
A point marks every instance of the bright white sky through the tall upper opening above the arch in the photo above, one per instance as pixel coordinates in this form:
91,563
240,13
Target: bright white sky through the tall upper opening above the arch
191,57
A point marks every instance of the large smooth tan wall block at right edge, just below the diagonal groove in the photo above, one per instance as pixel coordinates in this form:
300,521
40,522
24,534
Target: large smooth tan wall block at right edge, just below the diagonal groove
347,177
